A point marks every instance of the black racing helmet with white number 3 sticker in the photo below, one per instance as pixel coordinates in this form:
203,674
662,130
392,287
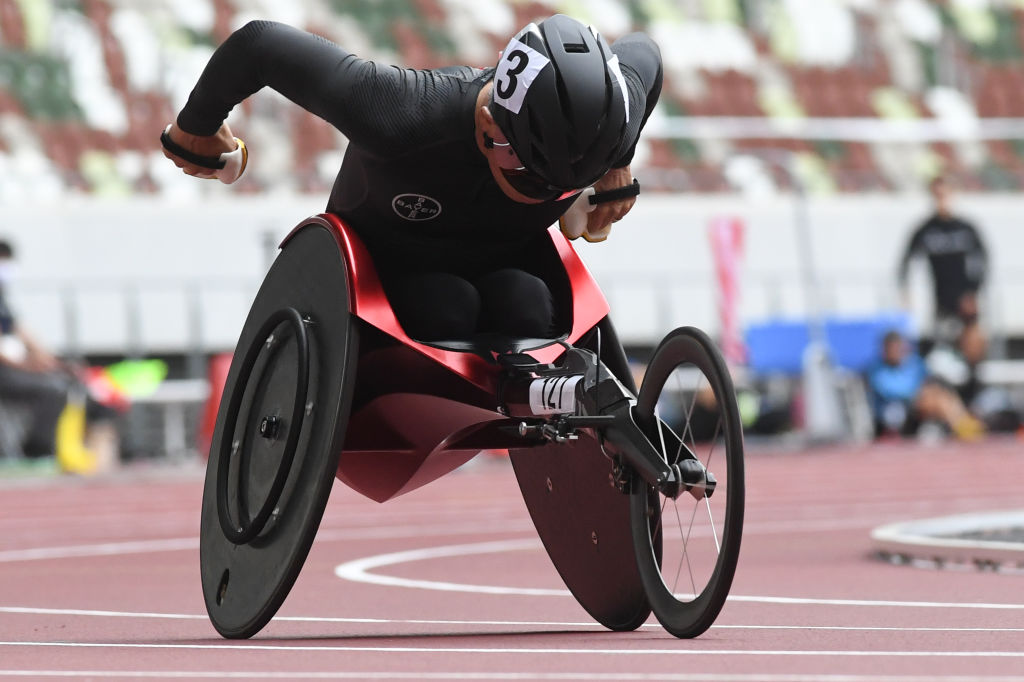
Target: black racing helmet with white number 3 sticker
561,100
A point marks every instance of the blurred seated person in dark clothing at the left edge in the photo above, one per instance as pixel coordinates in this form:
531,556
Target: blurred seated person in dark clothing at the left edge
62,420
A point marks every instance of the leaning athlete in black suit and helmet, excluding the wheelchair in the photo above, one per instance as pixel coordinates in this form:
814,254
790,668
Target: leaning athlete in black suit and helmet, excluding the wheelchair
453,176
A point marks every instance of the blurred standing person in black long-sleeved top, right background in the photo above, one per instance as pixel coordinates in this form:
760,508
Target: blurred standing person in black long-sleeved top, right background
958,260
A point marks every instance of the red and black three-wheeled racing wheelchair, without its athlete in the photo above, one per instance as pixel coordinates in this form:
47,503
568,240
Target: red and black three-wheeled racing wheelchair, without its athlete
636,495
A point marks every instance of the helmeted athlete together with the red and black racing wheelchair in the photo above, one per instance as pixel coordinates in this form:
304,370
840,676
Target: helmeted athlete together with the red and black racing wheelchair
432,314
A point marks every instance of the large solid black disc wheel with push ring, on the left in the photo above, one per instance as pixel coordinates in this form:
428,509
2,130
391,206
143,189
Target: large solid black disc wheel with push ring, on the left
280,433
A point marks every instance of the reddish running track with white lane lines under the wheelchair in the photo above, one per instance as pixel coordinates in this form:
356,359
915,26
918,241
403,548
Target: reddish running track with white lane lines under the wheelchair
100,580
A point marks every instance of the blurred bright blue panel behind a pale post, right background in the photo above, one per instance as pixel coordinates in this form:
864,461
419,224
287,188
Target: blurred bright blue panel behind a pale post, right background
855,344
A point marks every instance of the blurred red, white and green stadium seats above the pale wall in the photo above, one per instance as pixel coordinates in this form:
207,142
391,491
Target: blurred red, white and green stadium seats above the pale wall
87,86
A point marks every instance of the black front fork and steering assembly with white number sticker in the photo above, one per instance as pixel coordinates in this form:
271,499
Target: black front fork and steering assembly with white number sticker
581,394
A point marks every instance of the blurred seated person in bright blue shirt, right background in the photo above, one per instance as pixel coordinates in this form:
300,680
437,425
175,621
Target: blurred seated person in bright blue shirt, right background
905,397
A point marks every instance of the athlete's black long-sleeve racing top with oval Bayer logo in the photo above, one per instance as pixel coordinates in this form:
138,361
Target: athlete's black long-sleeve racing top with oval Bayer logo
413,185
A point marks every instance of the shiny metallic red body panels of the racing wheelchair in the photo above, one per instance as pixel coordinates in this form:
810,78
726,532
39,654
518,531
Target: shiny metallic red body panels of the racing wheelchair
436,435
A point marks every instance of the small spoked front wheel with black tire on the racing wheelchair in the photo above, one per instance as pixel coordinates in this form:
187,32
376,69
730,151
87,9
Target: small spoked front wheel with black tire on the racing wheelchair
687,549
